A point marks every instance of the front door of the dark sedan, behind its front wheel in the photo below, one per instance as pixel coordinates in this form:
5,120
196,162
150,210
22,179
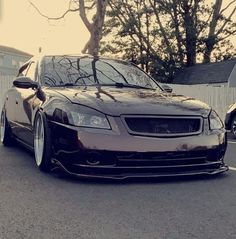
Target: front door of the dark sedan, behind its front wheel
24,102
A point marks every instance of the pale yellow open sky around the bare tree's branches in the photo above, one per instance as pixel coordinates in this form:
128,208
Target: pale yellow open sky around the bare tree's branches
23,28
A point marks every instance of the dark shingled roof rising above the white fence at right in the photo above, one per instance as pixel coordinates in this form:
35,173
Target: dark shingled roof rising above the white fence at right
206,73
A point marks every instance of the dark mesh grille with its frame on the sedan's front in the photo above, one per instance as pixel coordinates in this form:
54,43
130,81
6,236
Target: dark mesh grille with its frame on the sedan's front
163,125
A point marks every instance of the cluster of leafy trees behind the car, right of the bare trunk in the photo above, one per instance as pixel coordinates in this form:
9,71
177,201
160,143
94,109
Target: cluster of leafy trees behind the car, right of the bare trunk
173,33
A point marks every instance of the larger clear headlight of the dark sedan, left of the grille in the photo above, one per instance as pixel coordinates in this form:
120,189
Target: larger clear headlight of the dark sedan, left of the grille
82,116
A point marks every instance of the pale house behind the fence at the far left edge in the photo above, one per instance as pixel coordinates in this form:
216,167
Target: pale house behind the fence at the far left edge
11,59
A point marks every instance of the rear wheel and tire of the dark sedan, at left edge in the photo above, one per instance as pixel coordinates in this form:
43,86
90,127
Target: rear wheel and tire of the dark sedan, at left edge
6,134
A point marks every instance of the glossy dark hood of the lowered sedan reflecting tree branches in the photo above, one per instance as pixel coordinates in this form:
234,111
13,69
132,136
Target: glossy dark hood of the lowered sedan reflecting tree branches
118,101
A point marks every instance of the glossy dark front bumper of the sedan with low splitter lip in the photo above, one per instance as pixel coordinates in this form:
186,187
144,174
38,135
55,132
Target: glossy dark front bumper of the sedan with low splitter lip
115,154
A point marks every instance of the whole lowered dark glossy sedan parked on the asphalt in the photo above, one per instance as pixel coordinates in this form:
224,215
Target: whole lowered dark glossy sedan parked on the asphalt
98,117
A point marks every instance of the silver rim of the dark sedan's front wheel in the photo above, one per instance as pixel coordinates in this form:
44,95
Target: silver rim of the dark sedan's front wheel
39,141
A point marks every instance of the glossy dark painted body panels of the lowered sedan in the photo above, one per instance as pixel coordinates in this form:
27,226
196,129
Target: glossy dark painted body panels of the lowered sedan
115,153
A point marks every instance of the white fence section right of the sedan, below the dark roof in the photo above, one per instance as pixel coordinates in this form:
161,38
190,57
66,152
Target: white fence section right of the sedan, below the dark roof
218,97
